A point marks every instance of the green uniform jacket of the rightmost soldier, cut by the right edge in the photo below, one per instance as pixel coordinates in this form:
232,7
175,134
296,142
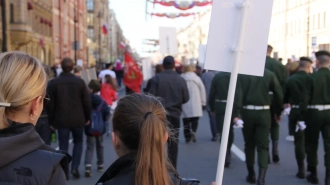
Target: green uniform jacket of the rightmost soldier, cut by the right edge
318,88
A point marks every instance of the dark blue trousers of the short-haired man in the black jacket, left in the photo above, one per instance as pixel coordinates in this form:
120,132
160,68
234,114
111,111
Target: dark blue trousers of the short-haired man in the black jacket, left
63,138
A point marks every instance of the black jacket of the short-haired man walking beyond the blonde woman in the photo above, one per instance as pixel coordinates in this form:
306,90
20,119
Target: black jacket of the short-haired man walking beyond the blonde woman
70,102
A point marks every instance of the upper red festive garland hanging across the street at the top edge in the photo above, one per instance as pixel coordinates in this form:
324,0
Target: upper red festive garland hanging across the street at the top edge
183,5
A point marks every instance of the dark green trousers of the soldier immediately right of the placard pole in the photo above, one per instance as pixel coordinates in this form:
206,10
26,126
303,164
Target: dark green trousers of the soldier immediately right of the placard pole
256,133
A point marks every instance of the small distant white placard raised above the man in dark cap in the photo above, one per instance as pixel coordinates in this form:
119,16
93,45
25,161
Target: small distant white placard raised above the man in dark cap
167,41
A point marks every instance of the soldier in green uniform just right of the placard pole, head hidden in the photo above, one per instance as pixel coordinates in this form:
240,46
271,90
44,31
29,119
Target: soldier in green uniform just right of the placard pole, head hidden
253,92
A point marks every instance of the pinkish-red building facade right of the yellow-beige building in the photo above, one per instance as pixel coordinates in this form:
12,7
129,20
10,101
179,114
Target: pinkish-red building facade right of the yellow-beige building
69,30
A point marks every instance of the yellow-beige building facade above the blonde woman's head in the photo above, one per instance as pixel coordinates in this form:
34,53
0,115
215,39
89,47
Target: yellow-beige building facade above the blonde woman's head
29,28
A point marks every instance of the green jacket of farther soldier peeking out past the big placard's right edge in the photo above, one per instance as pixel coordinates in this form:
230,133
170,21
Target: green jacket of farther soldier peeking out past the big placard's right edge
278,69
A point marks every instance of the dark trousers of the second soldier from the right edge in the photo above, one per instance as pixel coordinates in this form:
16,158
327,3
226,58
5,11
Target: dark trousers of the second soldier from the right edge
299,137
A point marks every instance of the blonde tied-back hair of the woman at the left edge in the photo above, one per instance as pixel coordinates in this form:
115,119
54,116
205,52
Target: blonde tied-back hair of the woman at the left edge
22,79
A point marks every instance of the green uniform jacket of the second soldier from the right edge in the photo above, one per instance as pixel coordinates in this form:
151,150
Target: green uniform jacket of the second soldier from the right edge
294,91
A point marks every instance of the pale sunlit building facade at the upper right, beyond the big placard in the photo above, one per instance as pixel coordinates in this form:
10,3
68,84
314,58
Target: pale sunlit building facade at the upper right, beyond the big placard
300,28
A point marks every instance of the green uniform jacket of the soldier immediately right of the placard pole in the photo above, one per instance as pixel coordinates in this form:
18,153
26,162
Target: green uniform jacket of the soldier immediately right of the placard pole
254,90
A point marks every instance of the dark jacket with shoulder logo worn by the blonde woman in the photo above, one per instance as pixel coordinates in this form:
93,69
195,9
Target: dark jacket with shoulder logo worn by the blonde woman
26,160
